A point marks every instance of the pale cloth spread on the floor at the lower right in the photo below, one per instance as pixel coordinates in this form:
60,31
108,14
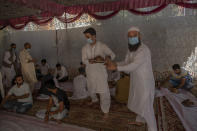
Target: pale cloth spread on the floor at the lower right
187,115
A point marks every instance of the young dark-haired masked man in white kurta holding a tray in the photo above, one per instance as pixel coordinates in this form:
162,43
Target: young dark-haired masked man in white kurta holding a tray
93,54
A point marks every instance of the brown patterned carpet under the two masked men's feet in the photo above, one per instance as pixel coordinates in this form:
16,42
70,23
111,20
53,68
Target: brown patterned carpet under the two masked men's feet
91,116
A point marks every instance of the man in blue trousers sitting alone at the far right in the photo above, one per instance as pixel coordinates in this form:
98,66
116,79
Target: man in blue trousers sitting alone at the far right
179,78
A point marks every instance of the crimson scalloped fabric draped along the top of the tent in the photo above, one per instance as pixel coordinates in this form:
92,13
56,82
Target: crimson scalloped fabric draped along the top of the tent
51,9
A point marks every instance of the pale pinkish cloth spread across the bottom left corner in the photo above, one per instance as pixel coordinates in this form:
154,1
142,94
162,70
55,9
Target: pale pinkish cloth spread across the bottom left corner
16,122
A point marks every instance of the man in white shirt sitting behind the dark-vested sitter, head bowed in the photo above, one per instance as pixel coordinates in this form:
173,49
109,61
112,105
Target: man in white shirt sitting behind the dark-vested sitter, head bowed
61,73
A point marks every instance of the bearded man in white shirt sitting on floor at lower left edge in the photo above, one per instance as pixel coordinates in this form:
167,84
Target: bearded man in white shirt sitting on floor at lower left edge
19,98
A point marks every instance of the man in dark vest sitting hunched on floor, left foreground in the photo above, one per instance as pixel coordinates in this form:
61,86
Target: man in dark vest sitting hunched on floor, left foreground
58,105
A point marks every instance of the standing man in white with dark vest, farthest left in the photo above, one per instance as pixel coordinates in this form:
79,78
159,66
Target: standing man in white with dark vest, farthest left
8,69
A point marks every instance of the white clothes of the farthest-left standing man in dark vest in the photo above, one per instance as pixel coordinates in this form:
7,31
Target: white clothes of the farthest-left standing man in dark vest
8,72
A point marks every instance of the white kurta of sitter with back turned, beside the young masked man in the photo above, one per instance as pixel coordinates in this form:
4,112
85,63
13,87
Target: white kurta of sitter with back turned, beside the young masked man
79,89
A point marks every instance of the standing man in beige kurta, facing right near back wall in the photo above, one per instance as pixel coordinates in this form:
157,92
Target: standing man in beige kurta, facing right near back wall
27,66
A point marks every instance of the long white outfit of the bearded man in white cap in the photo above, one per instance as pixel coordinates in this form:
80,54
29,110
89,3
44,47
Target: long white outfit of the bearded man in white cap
141,94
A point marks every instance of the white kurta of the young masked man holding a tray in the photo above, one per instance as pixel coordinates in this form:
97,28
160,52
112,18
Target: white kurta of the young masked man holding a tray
96,73
